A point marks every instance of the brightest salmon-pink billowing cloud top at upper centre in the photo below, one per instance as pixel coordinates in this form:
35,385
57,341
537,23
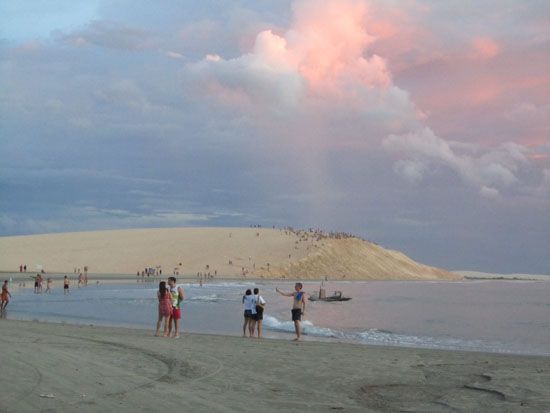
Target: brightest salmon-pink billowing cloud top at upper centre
326,47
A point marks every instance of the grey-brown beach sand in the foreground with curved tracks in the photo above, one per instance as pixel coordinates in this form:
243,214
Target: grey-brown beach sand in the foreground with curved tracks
64,368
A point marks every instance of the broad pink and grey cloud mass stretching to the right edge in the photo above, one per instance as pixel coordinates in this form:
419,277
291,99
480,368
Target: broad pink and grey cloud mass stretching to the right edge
328,77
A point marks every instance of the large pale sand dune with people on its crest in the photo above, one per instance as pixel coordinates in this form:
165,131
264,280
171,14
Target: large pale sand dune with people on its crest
229,252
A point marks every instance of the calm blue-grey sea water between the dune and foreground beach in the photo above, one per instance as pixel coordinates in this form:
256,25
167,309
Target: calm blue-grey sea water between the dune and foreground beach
494,316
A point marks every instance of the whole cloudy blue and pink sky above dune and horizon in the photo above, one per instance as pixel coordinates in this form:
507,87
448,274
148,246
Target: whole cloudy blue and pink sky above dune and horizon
421,125
